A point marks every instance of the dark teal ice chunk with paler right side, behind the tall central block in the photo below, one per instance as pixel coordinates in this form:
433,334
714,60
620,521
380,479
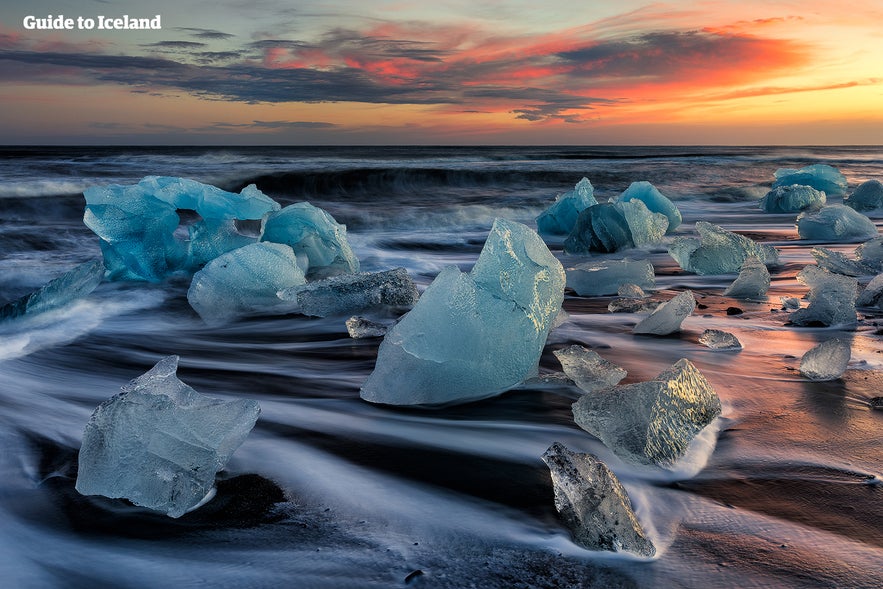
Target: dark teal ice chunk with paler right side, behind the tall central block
609,227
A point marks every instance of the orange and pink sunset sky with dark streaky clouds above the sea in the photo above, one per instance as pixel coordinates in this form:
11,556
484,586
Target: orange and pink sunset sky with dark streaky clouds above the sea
227,72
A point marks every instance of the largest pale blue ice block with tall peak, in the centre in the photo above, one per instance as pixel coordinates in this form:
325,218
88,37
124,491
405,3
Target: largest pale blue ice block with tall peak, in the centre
473,335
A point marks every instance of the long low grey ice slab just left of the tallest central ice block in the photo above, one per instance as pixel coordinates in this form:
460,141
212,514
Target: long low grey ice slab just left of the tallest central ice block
348,293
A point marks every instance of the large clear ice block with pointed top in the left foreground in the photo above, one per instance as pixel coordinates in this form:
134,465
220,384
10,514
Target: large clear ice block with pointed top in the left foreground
159,443
